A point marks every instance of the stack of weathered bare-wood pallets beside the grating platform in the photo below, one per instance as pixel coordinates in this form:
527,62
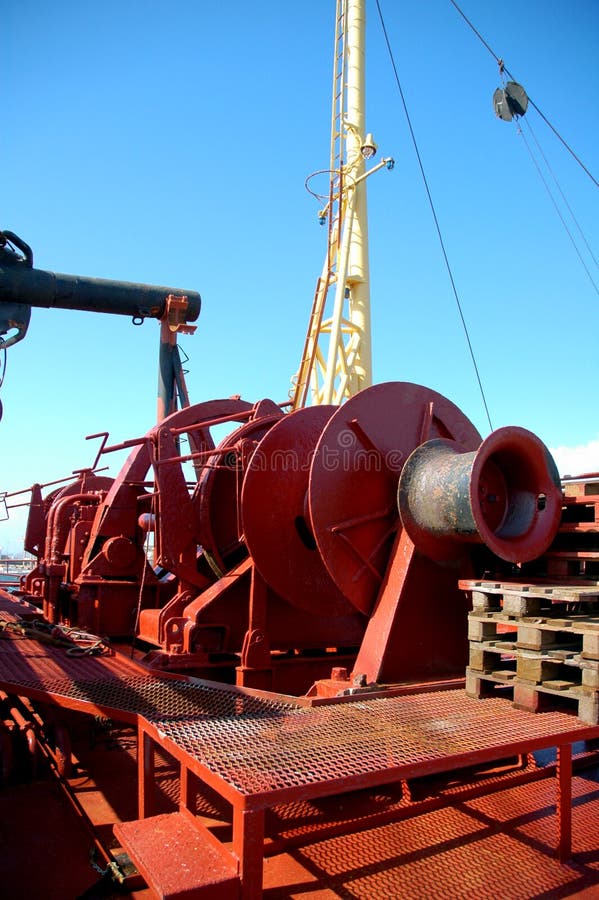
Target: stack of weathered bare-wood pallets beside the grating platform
539,642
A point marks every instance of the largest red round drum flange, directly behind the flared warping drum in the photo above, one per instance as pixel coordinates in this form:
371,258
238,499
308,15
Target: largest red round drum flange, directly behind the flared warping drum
355,472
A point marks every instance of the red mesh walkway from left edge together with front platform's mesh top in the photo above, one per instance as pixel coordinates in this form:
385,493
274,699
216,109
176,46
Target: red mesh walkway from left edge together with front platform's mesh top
224,730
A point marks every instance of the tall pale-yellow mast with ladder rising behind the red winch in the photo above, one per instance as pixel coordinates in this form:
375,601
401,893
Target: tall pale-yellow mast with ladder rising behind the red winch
337,357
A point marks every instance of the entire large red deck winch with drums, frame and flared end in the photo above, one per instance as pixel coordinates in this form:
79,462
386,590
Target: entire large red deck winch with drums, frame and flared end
325,543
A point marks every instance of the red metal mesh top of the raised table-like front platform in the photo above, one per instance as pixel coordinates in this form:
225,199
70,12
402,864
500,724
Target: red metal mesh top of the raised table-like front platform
348,743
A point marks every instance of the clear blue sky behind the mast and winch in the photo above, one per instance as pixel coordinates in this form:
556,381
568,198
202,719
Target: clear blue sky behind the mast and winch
170,145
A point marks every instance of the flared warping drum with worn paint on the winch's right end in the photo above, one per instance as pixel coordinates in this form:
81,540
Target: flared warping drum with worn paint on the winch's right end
506,494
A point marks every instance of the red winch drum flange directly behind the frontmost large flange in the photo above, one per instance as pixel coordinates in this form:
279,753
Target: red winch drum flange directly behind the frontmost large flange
273,504
